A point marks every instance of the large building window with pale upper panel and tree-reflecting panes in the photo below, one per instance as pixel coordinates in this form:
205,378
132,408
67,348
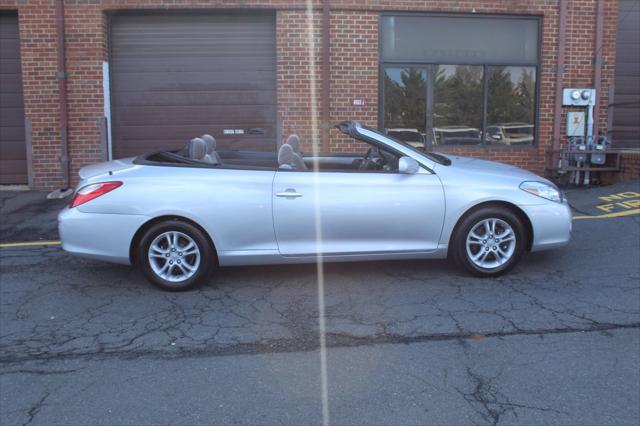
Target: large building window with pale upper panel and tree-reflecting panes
459,80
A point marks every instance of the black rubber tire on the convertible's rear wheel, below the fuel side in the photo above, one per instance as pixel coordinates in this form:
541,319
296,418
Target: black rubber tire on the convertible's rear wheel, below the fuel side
200,272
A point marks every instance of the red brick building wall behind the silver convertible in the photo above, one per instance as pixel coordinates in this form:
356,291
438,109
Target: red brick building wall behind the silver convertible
354,66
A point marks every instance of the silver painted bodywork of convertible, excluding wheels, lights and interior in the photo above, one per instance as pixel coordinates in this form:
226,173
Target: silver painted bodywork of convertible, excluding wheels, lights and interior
268,216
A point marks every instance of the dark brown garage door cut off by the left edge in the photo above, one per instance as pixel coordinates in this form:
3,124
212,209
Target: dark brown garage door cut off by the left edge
13,153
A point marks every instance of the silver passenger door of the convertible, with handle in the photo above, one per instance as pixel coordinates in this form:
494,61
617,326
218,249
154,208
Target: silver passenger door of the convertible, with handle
333,212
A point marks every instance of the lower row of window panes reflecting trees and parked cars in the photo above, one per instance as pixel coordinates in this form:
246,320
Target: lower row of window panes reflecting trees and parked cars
445,104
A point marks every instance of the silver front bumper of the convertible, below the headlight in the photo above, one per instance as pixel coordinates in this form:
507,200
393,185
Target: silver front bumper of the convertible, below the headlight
551,223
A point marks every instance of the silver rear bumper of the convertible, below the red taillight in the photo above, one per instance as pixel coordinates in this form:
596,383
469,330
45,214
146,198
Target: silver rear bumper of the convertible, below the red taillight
98,236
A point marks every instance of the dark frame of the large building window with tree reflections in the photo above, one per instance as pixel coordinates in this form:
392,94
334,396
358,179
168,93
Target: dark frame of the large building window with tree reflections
428,66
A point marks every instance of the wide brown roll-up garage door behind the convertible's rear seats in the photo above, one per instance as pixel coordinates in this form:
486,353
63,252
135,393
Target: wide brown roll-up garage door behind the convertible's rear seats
175,77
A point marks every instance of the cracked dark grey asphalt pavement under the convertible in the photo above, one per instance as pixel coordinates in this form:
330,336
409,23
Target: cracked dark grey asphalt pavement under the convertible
557,341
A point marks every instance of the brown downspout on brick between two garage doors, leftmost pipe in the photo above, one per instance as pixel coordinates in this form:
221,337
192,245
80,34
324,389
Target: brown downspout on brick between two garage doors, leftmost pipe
61,75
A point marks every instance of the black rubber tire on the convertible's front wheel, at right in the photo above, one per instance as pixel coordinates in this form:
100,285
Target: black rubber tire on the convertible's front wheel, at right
460,254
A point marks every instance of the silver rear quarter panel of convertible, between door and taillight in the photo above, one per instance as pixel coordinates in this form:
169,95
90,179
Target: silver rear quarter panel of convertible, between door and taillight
233,206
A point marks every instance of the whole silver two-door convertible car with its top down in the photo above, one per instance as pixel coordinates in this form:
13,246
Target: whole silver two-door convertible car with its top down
180,214
